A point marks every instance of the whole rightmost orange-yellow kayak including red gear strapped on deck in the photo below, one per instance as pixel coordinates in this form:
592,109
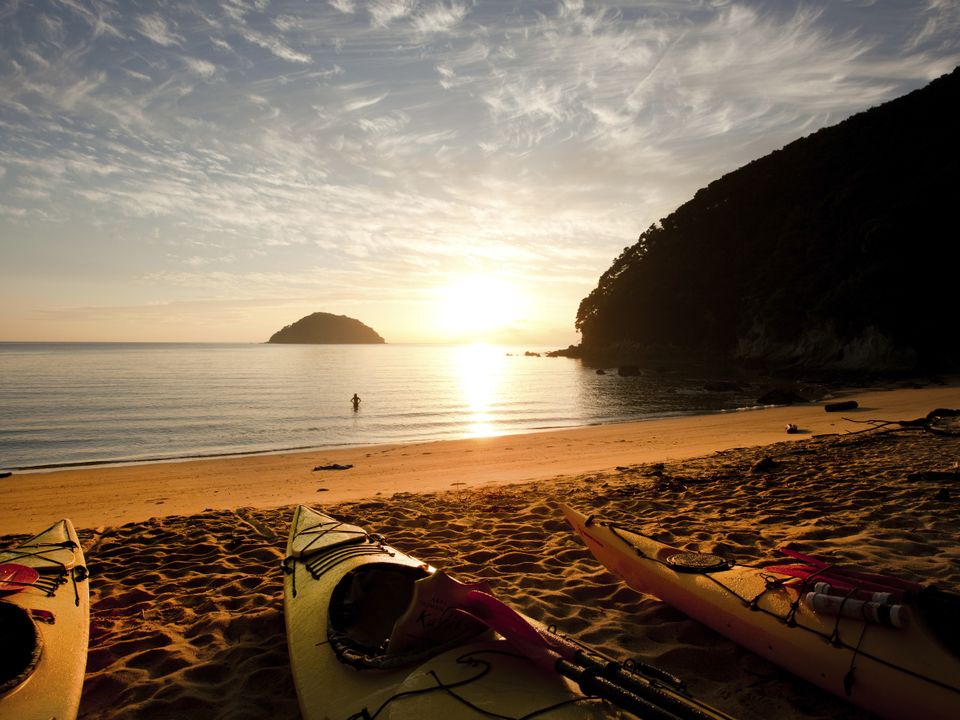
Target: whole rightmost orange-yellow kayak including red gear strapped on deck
836,628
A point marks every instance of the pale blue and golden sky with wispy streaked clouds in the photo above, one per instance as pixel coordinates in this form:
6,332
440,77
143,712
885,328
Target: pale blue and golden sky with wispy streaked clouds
443,171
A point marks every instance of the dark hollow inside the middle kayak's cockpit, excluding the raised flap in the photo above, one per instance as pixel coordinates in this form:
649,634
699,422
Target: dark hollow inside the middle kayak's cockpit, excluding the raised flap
364,607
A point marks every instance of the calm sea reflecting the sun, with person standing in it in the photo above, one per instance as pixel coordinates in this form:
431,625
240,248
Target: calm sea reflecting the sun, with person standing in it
72,403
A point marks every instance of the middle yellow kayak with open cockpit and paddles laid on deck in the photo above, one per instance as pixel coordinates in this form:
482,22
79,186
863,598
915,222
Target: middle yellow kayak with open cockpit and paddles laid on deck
373,632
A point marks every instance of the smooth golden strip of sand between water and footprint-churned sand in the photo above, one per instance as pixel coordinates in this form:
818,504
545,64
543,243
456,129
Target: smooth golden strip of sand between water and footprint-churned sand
103,496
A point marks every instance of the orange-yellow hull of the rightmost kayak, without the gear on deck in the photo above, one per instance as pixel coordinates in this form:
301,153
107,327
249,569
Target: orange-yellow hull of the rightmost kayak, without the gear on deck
897,673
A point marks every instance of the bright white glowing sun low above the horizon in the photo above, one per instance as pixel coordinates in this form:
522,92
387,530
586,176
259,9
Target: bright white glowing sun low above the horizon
478,307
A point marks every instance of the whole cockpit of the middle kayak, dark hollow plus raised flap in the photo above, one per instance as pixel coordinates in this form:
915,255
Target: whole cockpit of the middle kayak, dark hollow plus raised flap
384,615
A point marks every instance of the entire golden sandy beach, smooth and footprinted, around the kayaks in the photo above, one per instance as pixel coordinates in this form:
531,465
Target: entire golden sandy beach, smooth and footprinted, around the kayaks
186,587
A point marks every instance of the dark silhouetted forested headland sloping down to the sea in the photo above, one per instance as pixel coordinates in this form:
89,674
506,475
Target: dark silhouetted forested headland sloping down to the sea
839,250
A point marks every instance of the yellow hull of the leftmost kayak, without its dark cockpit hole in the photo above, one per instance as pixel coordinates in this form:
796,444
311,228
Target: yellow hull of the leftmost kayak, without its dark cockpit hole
57,600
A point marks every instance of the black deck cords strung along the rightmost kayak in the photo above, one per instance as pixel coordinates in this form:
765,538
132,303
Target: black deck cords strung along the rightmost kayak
771,583
